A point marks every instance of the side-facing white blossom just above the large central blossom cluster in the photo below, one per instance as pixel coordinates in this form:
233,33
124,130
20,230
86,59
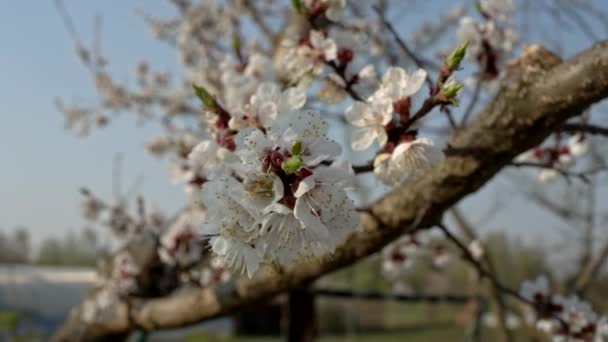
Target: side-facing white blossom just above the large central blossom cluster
266,104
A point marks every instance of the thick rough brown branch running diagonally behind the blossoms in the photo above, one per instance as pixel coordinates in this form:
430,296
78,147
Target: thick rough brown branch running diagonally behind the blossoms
538,95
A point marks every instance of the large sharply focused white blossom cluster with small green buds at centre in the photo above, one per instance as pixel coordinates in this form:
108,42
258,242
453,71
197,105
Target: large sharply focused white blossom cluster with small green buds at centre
289,204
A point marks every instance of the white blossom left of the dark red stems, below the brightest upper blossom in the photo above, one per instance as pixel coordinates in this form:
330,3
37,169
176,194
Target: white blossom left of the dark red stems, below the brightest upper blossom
369,120
